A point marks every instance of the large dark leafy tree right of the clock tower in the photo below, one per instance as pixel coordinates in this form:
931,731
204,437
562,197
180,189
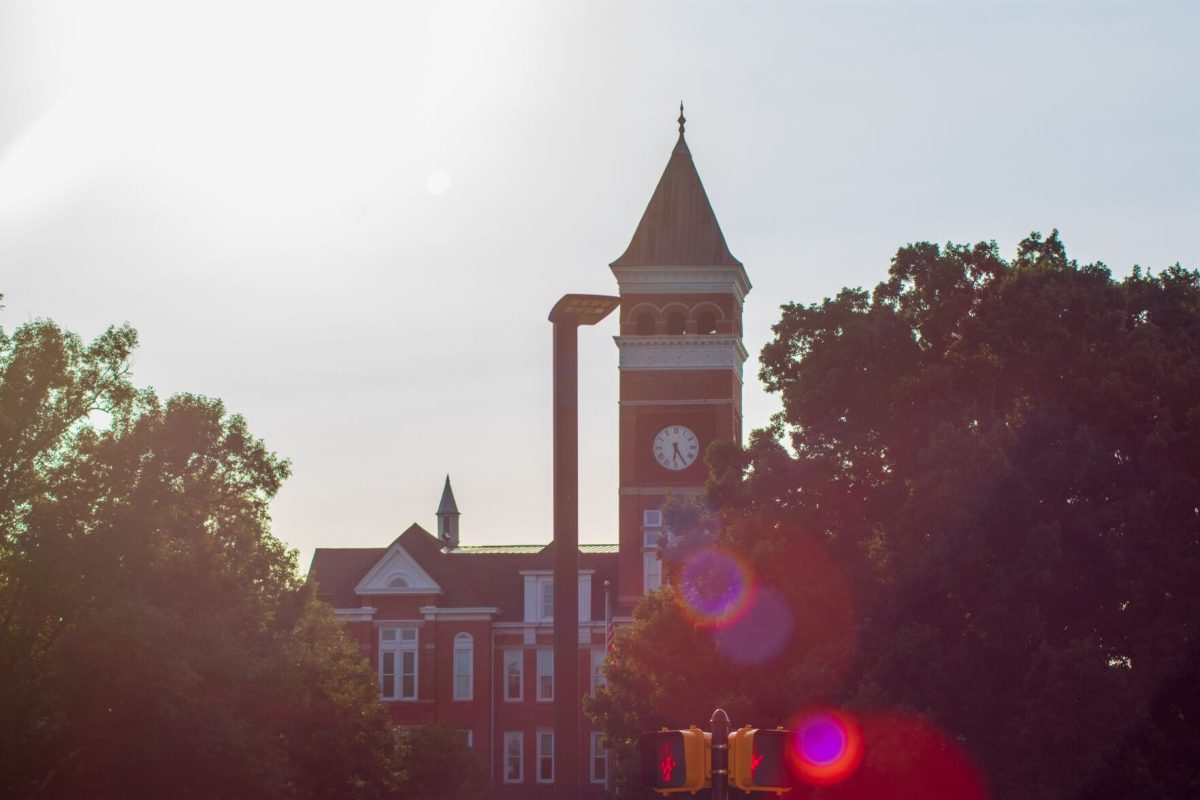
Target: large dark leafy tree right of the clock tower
1000,462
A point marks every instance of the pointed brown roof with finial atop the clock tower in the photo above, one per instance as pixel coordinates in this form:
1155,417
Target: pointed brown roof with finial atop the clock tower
679,227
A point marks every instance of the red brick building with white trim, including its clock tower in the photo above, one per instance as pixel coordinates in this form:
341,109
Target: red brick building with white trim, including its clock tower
464,635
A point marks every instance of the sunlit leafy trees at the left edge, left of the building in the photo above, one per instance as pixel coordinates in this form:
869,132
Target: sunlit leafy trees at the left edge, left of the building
154,635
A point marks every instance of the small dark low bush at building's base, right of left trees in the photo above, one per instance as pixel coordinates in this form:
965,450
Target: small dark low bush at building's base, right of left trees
441,767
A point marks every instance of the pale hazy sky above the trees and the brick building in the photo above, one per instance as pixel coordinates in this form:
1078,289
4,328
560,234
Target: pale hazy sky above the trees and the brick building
350,220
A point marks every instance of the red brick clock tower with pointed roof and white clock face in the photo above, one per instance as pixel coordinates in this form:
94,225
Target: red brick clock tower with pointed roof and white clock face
681,360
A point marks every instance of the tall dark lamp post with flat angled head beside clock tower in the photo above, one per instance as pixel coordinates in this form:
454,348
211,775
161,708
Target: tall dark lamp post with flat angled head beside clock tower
568,315
